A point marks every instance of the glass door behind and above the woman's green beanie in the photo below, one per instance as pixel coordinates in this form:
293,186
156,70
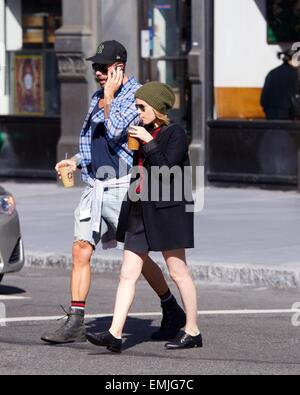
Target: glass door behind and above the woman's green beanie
166,42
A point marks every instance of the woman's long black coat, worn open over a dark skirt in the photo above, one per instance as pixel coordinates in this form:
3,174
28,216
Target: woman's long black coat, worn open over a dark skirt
168,225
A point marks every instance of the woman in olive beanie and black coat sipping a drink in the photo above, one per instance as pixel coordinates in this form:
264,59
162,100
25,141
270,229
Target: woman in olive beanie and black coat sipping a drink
156,224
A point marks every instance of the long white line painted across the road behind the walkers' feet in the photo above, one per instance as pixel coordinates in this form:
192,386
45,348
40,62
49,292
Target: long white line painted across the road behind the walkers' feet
200,313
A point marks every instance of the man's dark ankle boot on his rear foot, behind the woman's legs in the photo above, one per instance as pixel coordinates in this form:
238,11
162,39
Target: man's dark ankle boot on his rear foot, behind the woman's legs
174,319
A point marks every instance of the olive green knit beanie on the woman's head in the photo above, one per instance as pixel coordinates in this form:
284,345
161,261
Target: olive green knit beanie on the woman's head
159,96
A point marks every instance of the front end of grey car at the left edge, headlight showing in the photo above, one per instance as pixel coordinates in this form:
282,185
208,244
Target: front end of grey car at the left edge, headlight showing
11,244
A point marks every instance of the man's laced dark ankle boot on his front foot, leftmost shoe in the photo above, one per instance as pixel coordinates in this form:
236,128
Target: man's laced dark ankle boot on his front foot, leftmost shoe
71,331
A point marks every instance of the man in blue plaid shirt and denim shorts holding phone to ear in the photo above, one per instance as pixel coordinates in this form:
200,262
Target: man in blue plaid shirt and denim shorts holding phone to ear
105,162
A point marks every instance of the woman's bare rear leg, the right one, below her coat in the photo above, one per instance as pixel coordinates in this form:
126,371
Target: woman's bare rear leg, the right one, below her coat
176,261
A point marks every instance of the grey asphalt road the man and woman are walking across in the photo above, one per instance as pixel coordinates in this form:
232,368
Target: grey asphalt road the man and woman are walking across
236,342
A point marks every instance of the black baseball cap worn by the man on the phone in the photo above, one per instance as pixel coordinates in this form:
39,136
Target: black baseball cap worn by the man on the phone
110,52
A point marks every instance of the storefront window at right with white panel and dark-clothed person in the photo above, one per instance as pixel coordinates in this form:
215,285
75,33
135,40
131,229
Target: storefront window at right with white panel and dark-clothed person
249,36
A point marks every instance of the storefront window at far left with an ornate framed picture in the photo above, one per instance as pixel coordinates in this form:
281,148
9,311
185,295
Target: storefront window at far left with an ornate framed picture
33,83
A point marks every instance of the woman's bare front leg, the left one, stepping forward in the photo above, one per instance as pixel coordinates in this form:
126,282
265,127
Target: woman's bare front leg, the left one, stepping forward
131,271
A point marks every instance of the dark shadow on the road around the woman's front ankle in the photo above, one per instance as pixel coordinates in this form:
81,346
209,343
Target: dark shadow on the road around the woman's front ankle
137,330
